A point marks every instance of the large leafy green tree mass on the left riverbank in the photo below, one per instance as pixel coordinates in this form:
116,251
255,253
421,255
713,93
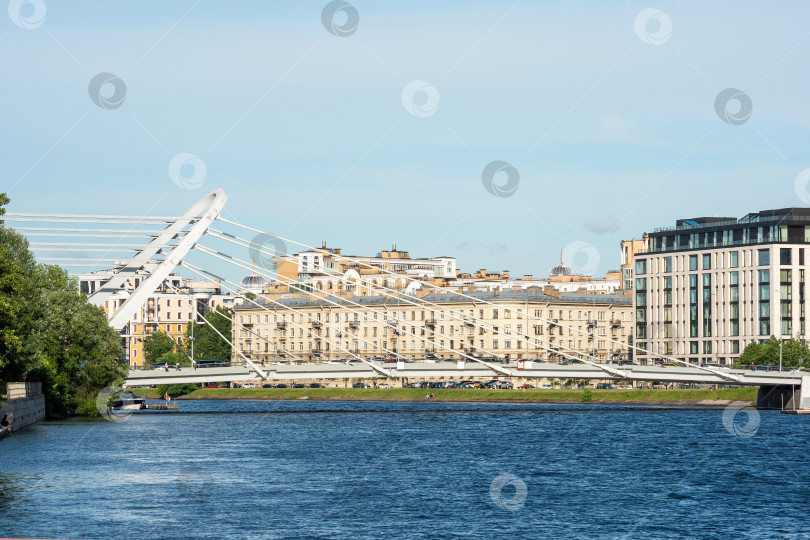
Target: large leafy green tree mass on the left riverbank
50,333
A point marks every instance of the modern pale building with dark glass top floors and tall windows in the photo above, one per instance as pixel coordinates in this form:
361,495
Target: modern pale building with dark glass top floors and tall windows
707,287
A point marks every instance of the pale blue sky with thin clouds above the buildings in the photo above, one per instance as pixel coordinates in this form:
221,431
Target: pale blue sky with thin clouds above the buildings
307,132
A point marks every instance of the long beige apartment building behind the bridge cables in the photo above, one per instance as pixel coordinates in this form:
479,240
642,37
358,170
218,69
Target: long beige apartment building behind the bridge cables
506,324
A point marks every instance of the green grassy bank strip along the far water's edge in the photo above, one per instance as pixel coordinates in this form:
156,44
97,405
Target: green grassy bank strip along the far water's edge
654,397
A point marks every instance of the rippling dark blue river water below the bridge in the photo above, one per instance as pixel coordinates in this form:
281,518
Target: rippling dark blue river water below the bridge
314,469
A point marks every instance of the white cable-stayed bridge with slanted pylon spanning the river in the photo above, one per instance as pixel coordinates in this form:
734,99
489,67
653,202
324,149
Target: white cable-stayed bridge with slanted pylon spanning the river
166,243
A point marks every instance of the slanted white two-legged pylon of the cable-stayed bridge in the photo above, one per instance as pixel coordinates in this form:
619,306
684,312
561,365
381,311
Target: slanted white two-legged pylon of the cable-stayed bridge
202,214
